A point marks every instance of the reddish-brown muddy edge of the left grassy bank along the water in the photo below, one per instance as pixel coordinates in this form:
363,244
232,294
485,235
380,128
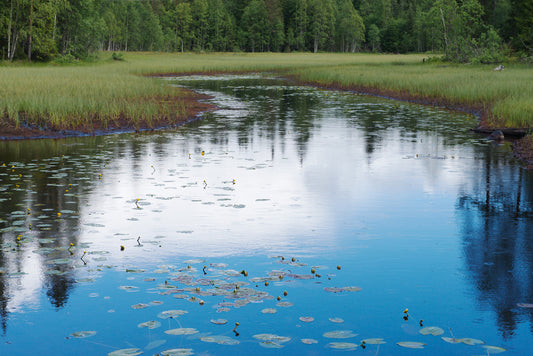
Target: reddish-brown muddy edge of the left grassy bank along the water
175,110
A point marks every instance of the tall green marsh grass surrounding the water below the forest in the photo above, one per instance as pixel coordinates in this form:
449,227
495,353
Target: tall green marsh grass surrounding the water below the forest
111,93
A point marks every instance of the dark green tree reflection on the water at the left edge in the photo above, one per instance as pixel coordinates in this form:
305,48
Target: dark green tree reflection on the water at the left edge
40,180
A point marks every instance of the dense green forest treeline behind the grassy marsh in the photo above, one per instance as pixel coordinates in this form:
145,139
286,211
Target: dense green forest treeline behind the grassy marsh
465,30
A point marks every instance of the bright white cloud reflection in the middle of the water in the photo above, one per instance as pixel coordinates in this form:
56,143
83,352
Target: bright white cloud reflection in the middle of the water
267,209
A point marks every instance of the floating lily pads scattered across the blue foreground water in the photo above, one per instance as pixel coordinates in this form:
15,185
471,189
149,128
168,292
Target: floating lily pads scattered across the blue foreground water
223,288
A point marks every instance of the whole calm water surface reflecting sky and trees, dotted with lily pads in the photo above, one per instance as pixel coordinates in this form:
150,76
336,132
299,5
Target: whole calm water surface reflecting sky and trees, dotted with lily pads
417,212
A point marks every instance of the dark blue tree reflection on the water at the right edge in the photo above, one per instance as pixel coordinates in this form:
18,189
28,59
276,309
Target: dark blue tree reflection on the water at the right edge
496,212
